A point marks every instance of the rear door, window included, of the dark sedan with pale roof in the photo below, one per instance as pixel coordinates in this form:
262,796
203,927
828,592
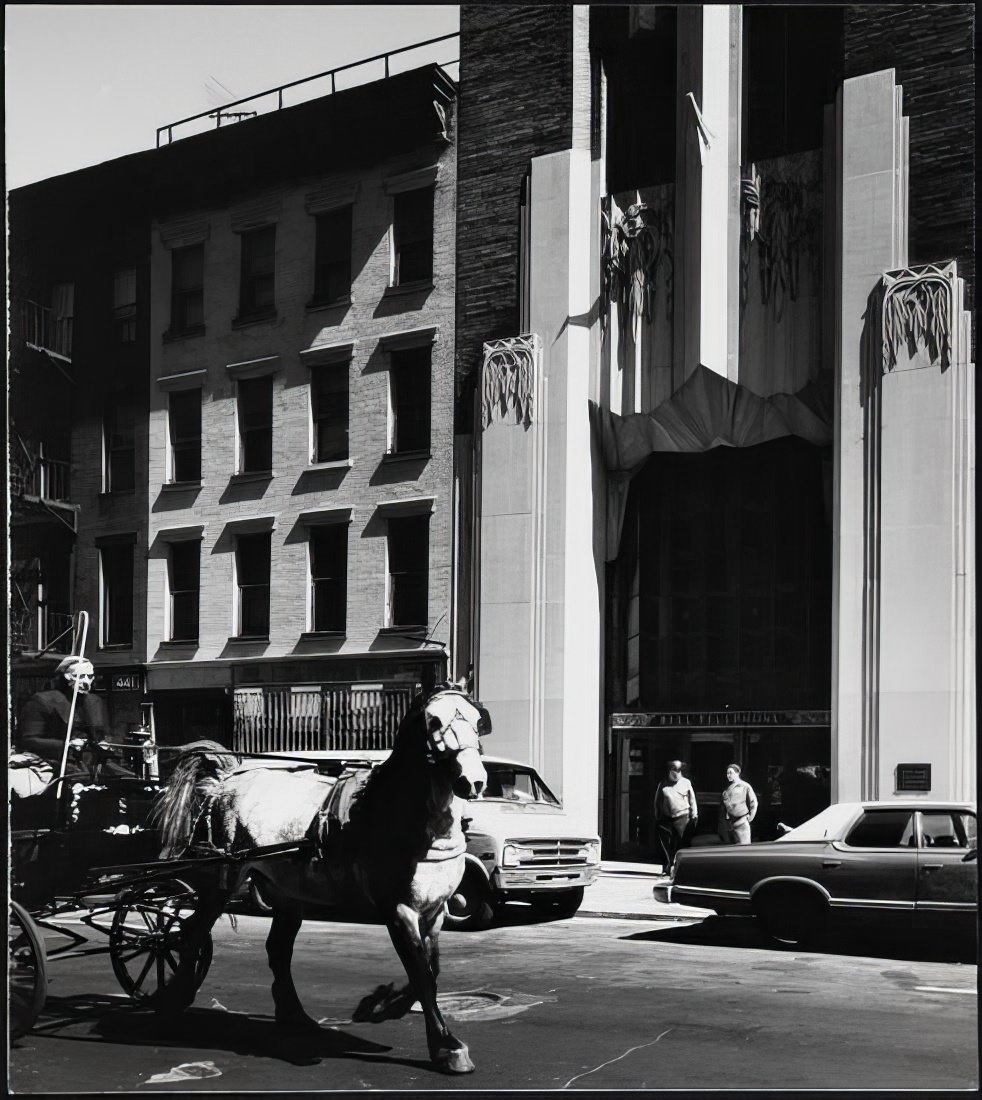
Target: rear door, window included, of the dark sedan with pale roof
871,874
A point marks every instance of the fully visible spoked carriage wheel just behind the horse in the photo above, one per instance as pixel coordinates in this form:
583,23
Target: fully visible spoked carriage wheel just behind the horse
147,939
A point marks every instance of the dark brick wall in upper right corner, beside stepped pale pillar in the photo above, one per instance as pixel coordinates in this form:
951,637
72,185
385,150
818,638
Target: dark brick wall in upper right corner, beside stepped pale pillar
932,49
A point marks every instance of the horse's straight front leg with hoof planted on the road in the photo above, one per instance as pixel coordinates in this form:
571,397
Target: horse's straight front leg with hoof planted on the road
416,945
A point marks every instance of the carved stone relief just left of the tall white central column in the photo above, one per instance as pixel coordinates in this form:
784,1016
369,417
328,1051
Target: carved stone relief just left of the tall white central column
635,246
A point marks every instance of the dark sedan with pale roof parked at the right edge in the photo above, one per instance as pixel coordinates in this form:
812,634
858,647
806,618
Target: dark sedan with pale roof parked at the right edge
889,865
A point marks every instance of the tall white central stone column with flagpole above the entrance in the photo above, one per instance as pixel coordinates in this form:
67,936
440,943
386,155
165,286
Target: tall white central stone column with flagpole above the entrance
708,191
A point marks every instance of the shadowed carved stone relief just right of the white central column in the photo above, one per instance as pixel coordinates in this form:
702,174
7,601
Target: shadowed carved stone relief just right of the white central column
781,201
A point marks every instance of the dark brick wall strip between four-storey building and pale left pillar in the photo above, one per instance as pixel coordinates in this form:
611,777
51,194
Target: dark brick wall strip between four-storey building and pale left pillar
516,103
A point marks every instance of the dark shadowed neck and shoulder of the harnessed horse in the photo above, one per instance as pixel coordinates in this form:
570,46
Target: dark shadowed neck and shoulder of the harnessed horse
394,819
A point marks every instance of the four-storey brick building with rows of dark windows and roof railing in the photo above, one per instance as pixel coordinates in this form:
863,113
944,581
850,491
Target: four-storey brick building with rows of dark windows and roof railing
264,476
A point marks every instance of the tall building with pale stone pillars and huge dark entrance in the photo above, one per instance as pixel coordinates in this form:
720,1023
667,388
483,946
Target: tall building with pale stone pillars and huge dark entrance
714,339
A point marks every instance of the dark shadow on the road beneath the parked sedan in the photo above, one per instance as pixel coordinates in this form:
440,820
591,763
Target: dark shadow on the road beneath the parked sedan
745,932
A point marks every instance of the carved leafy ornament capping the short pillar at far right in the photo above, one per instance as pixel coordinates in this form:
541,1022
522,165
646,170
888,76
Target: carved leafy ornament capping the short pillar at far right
919,310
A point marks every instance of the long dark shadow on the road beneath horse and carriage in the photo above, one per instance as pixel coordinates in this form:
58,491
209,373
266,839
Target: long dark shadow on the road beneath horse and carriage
212,1030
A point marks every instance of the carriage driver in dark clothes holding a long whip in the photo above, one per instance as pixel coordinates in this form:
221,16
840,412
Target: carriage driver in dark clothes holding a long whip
45,722
